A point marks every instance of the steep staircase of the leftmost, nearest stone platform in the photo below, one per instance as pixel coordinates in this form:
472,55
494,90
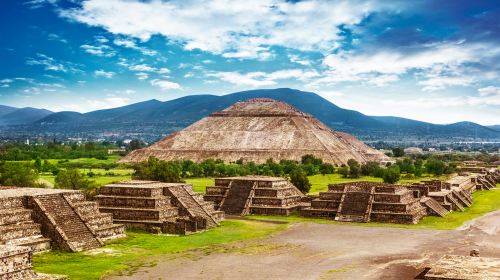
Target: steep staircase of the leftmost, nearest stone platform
65,223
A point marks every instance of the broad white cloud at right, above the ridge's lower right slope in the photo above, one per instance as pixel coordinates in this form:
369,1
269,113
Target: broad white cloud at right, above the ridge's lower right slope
437,66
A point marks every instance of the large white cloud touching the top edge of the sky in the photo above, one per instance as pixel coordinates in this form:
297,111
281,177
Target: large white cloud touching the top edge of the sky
232,28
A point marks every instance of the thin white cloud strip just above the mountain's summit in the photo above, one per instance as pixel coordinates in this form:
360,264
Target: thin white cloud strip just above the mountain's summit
259,79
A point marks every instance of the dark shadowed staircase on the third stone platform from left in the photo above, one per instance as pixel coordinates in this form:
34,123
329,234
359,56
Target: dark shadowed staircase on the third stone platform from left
236,199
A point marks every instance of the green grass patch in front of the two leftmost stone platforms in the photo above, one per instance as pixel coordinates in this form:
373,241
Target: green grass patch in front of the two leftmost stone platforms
122,257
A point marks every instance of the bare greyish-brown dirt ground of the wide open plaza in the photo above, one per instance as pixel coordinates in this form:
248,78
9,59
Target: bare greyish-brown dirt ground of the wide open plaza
328,251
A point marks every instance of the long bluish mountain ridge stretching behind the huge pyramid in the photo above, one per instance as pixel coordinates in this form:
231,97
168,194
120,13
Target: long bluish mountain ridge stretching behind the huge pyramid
154,118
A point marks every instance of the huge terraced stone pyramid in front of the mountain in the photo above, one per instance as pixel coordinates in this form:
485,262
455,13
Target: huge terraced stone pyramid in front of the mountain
256,130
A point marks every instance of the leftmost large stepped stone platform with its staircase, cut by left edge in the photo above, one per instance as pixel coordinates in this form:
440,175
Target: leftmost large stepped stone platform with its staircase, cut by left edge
45,218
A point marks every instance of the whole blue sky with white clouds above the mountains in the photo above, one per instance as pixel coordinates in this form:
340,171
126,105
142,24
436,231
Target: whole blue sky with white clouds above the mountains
435,61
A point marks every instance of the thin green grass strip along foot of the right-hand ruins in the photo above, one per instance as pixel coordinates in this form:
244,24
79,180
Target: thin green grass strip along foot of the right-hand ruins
484,202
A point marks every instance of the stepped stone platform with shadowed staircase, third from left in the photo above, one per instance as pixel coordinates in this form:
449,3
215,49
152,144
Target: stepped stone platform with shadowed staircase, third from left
254,195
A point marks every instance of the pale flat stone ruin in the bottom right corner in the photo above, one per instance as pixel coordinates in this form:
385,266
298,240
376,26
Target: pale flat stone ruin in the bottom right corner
453,267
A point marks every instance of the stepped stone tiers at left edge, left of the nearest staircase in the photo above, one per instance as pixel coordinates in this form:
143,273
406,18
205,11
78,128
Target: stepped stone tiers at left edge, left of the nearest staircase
18,228
